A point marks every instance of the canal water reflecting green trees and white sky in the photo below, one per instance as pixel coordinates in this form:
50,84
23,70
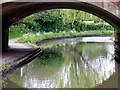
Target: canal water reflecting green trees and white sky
69,63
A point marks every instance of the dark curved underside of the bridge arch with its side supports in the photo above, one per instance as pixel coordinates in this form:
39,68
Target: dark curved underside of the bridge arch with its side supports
15,11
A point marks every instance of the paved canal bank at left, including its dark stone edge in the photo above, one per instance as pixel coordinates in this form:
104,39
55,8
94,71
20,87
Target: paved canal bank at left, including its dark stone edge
17,55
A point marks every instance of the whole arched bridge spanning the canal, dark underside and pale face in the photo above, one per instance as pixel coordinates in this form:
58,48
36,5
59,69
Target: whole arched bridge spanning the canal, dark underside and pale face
15,10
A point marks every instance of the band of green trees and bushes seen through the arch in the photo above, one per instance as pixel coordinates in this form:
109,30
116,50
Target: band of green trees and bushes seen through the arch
56,21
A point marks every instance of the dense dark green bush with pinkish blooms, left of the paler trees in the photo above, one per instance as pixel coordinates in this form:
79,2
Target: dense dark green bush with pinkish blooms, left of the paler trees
49,20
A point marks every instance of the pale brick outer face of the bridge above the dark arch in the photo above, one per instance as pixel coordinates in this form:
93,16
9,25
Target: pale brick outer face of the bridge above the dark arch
112,6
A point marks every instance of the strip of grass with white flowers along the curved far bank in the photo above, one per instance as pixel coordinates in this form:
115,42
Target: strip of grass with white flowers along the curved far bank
32,38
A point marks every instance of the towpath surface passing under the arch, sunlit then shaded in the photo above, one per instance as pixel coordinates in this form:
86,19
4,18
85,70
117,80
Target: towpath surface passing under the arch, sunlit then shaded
16,51
